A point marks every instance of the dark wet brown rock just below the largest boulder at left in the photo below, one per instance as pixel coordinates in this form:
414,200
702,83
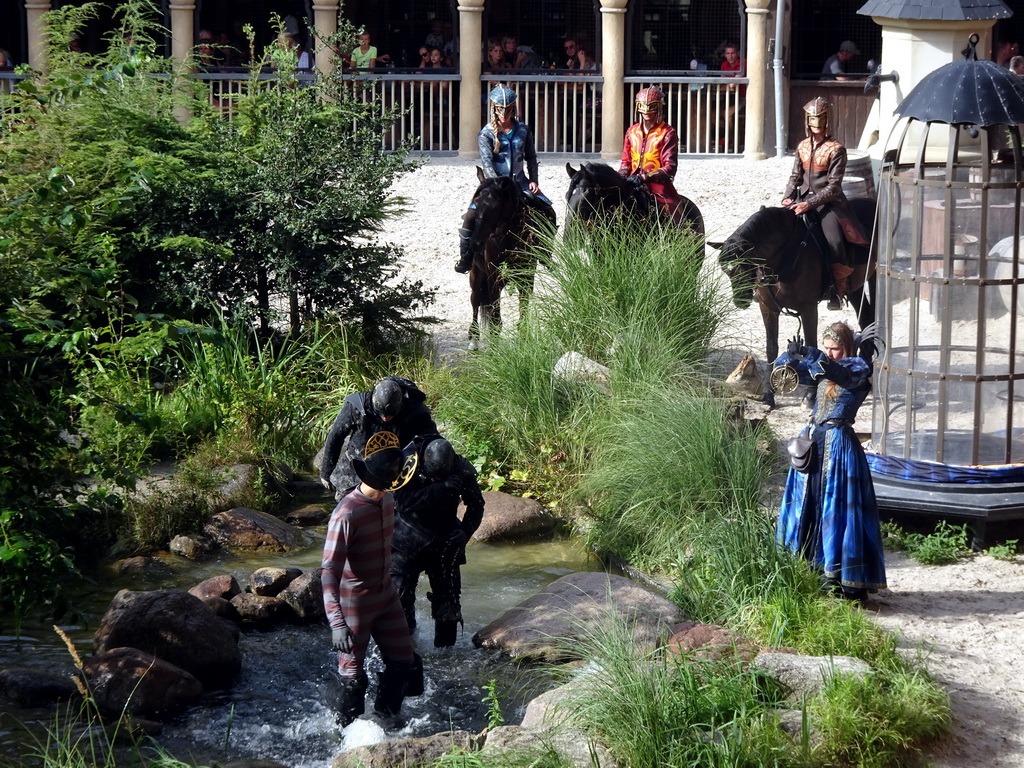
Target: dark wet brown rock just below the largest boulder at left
129,679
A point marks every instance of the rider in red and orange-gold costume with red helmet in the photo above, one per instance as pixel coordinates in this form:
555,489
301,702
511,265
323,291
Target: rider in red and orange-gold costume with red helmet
651,152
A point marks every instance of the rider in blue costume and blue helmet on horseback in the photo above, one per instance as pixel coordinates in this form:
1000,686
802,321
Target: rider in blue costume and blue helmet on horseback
507,149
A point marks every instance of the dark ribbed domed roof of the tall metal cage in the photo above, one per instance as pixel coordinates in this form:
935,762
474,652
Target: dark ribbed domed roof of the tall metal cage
967,93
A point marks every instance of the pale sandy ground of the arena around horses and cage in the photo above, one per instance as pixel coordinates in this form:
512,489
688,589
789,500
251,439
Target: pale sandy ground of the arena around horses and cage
966,620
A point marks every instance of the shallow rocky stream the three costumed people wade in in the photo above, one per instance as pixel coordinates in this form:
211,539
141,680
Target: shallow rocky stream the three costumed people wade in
276,708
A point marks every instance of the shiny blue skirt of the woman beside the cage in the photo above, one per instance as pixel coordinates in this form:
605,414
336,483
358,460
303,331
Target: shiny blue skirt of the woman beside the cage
830,516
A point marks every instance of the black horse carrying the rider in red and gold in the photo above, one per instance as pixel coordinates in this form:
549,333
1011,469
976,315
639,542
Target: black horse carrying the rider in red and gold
599,192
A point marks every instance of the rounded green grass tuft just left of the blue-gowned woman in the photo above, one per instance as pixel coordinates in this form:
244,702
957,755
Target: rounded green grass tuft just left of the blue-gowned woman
670,466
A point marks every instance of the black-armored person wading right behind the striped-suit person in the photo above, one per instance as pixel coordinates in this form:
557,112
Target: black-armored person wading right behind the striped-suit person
431,538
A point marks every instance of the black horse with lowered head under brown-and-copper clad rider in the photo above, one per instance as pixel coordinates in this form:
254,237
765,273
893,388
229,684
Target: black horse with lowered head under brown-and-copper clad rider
775,259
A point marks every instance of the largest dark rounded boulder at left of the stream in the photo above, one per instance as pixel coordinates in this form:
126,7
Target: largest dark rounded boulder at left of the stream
176,627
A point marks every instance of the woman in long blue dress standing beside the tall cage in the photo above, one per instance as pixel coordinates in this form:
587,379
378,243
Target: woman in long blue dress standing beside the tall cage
829,514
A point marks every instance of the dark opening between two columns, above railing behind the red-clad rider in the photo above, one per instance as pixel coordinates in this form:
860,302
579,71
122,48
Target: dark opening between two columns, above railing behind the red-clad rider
670,35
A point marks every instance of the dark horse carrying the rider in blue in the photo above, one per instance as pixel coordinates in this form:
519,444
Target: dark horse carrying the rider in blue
501,243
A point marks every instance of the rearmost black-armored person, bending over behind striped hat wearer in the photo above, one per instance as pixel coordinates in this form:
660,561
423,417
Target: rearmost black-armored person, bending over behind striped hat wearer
396,405
